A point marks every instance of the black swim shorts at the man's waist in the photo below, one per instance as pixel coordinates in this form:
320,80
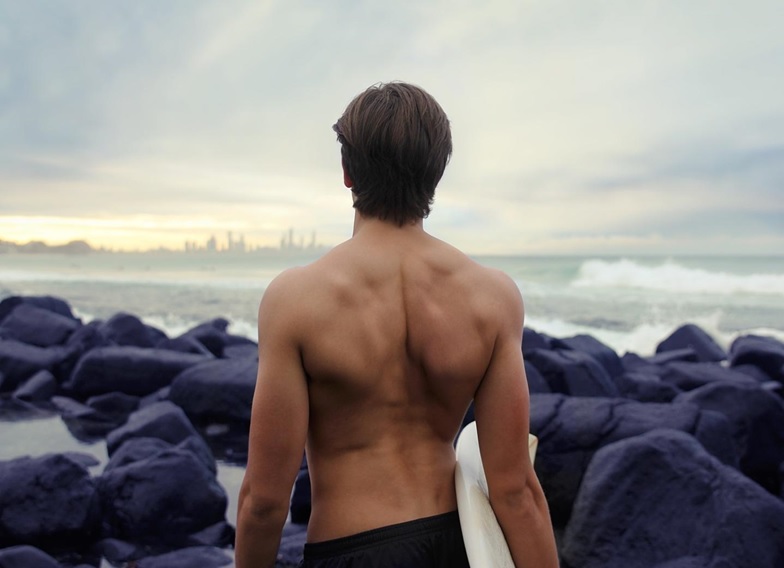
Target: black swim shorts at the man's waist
424,543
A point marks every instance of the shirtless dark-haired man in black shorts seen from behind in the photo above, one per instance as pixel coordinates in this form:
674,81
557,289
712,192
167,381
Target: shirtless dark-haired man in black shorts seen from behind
369,358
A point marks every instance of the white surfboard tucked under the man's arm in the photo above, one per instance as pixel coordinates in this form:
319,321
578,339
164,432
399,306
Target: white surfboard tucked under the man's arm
485,543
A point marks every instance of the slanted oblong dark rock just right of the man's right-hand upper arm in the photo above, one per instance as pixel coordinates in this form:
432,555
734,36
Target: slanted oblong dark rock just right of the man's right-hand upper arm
573,373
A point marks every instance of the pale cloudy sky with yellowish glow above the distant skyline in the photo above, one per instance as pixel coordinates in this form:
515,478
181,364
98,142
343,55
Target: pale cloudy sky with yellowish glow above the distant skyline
579,126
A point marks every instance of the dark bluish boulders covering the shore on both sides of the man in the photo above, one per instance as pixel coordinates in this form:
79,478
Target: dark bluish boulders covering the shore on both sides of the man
669,461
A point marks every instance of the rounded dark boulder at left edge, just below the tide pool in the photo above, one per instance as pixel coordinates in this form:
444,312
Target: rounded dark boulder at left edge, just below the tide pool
50,500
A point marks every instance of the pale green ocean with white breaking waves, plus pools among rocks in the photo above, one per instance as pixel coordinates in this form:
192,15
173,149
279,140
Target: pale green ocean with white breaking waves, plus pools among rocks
629,303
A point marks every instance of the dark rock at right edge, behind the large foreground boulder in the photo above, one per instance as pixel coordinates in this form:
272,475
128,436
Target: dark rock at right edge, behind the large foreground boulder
757,420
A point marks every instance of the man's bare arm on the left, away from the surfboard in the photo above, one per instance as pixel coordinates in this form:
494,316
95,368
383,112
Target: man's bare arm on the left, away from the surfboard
278,431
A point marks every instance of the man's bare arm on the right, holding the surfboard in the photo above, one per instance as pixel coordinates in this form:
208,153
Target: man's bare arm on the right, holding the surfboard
501,406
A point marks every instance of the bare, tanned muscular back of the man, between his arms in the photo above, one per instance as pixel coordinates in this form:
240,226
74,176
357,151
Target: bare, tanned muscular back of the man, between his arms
399,333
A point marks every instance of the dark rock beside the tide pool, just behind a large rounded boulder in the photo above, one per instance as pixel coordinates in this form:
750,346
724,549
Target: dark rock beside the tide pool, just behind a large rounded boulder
162,420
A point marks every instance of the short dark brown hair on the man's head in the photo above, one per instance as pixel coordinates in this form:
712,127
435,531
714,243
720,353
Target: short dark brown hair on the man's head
395,144
